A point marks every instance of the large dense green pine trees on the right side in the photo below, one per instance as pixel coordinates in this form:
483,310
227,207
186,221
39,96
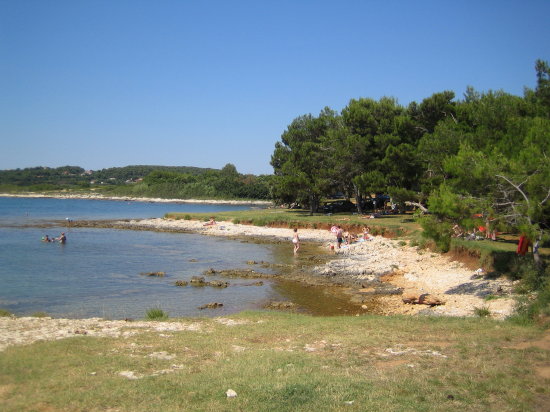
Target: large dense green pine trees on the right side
483,159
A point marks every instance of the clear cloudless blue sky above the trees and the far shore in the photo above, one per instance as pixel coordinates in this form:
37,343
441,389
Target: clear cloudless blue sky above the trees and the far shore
203,83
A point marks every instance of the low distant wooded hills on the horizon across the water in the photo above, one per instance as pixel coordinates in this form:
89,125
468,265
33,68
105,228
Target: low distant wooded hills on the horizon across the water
141,181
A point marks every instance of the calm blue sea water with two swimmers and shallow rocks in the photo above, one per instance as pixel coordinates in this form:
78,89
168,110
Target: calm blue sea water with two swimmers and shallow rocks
99,272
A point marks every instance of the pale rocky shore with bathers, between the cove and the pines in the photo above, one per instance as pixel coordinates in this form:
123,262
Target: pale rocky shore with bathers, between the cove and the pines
384,269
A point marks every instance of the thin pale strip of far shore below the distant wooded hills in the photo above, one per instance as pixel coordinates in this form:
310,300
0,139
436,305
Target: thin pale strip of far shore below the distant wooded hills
134,199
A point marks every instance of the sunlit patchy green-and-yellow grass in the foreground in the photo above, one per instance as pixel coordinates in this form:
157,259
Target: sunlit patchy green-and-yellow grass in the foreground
288,362
